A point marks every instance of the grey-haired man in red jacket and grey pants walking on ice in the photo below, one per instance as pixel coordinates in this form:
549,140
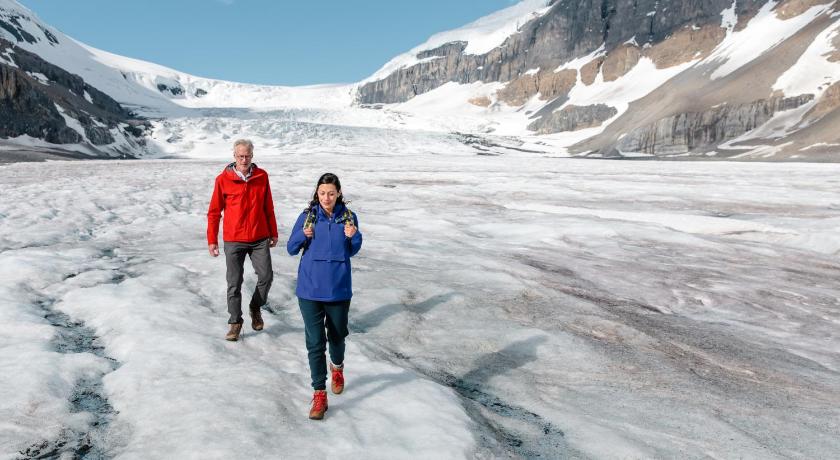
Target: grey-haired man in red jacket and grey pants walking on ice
242,192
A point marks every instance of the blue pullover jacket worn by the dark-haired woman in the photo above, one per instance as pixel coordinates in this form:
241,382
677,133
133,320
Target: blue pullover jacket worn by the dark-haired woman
324,270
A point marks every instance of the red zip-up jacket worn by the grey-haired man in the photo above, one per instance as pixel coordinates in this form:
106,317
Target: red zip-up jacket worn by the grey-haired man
247,206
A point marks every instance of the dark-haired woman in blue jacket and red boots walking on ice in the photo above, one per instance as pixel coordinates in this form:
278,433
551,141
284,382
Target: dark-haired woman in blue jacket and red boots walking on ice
328,234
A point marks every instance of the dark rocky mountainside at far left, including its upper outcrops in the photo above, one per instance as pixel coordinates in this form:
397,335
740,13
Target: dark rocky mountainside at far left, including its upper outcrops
45,106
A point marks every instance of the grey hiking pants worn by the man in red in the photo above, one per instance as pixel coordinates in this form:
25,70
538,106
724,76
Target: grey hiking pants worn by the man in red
235,253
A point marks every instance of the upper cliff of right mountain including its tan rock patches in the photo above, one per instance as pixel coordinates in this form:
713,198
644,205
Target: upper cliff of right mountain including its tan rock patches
568,30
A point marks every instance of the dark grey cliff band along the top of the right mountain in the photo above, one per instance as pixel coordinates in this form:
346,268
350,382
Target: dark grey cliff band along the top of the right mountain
570,29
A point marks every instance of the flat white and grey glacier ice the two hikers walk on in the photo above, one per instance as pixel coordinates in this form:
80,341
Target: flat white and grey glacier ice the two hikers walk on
503,305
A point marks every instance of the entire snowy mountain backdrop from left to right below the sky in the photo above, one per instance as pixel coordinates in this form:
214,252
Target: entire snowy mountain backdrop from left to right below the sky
733,79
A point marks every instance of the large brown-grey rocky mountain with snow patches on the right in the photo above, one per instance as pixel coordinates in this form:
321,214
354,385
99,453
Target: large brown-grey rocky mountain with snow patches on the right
662,78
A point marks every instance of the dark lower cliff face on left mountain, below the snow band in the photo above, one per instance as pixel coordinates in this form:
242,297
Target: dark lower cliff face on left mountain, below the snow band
39,99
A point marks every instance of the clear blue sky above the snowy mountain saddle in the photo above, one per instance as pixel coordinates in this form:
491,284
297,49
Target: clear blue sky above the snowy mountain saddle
268,42
